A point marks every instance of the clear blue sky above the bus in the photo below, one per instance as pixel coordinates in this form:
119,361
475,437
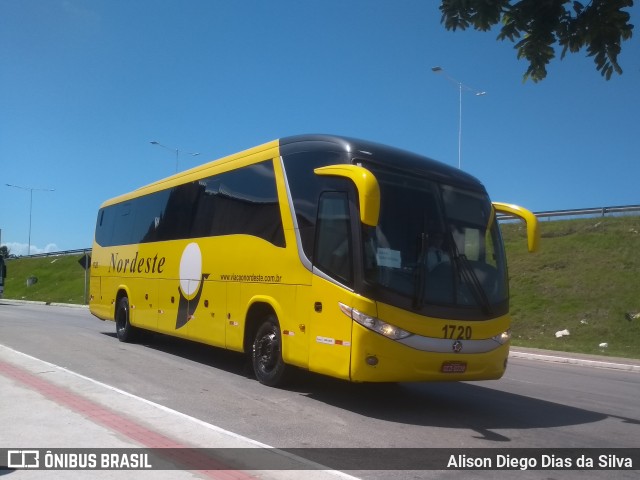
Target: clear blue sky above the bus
86,85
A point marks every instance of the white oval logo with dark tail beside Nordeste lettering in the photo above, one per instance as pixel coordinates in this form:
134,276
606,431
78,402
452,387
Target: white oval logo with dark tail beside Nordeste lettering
191,283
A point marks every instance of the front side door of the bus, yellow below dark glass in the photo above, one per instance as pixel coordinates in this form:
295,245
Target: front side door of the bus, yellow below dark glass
330,329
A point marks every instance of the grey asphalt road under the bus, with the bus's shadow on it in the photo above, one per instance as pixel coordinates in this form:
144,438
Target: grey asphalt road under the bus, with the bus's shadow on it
537,404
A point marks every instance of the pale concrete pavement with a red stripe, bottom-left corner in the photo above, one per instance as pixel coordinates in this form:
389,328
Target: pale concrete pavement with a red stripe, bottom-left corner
68,410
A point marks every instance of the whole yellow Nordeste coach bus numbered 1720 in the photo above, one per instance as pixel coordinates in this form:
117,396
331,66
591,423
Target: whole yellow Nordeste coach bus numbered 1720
335,255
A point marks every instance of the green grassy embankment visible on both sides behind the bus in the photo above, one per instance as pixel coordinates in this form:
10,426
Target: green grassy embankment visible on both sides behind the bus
585,278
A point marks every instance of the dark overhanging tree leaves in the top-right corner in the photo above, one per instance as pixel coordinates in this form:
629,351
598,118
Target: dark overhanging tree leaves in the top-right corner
537,26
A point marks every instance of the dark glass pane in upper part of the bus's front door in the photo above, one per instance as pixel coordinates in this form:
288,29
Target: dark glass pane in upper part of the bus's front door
333,239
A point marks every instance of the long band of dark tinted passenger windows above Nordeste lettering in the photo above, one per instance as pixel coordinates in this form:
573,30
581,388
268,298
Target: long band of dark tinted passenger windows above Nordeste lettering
243,201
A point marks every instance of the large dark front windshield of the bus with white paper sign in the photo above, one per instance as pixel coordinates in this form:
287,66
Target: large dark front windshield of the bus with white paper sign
435,245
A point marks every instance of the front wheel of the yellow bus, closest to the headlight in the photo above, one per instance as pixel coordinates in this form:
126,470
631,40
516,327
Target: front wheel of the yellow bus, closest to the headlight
266,353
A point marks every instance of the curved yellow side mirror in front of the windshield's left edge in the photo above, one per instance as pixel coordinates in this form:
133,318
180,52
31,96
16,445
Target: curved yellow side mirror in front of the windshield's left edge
366,184
